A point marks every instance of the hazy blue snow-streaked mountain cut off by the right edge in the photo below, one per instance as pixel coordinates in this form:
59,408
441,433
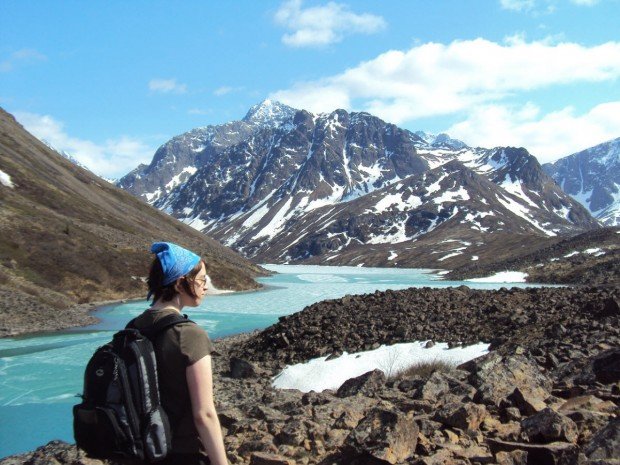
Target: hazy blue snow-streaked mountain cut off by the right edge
592,177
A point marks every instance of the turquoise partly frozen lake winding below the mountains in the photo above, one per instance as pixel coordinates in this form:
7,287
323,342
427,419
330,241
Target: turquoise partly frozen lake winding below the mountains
41,375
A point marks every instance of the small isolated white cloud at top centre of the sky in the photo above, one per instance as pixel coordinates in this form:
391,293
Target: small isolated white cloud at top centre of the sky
323,25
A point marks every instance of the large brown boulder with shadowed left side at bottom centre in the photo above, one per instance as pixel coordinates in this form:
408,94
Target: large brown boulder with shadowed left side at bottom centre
383,437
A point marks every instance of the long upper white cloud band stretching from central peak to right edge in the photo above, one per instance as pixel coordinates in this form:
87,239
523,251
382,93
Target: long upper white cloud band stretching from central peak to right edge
436,79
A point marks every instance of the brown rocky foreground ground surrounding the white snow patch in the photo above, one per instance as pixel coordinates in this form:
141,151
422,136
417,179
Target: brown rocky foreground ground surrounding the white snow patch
548,392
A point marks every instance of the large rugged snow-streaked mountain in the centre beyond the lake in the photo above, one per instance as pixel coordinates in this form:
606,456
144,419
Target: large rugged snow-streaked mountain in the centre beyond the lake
287,185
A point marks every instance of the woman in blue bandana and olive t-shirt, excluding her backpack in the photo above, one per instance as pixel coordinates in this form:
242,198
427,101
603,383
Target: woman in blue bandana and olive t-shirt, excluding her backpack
178,279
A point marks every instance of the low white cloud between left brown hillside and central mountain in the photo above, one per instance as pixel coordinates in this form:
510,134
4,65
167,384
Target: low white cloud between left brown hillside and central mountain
112,159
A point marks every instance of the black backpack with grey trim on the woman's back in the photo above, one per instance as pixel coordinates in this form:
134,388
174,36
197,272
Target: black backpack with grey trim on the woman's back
120,414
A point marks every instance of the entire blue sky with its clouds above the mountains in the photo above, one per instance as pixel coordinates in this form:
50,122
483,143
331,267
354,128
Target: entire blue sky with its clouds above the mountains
109,82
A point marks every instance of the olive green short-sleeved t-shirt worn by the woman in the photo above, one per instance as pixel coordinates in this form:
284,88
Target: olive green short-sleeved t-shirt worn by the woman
176,348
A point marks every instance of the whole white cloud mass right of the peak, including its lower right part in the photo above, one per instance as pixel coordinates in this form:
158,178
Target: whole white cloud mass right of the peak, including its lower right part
476,80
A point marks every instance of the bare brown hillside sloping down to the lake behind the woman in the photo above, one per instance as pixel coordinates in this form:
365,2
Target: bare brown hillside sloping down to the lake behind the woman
68,237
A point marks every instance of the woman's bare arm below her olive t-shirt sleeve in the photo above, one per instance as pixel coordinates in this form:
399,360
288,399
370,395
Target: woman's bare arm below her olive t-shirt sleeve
200,384
